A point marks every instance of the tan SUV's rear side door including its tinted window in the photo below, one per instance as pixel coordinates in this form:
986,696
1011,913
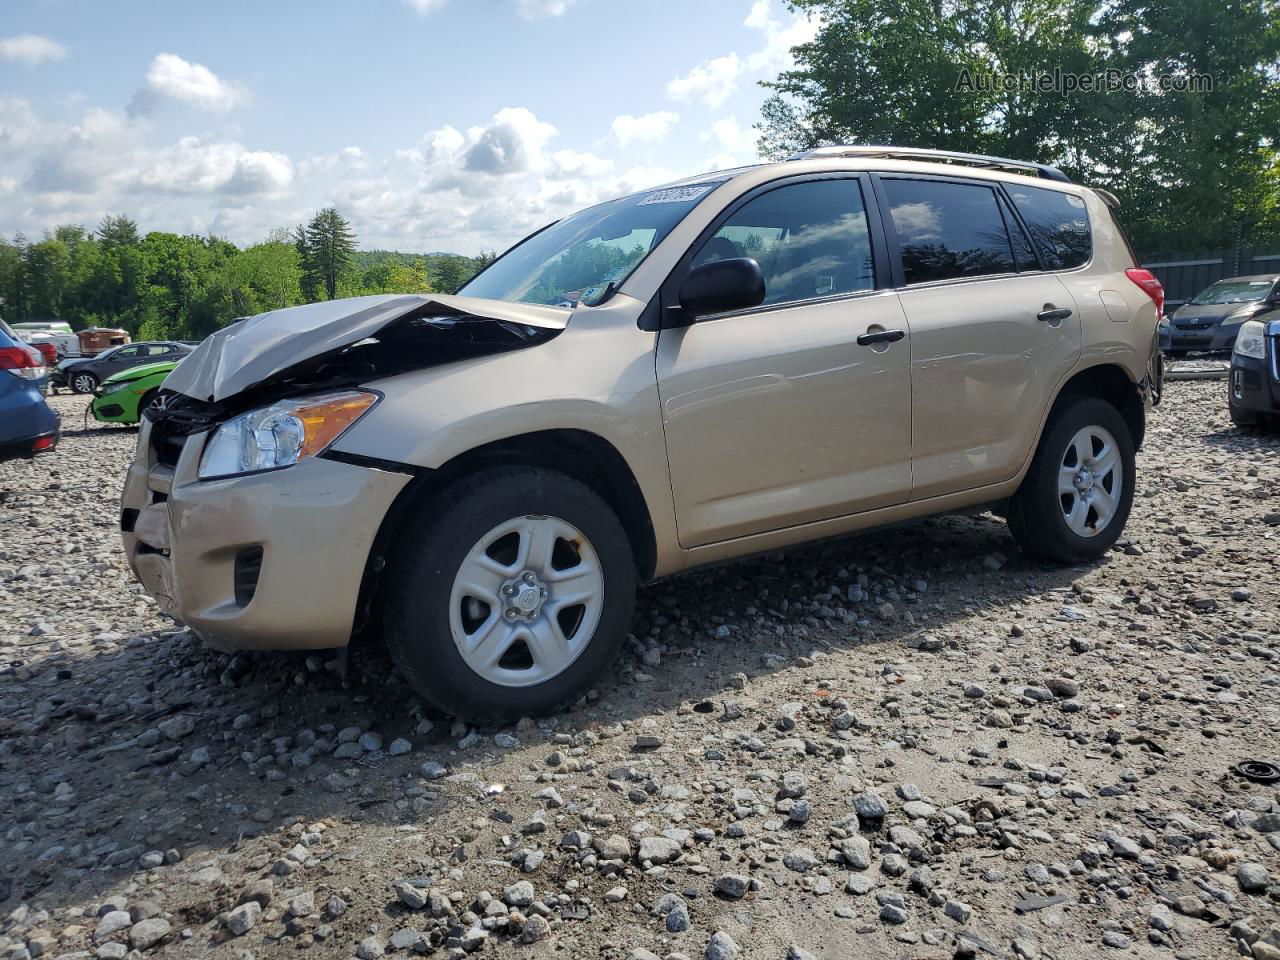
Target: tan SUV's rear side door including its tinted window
993,333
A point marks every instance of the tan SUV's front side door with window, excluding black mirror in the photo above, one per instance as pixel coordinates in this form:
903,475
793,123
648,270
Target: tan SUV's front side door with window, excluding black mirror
778,415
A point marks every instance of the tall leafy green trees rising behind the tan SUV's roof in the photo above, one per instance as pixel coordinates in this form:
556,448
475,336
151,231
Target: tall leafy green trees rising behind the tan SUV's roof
1195,163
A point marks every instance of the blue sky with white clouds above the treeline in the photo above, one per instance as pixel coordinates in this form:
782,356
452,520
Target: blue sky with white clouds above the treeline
432,125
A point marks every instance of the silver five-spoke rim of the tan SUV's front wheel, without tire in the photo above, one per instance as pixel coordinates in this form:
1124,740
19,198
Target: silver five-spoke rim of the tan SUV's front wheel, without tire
527,601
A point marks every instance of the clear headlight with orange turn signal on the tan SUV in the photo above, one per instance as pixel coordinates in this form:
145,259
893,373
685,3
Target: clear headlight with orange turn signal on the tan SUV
282,435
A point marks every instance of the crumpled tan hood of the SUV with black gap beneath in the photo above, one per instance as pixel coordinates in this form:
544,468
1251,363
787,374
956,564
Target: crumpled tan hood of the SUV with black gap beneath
346,342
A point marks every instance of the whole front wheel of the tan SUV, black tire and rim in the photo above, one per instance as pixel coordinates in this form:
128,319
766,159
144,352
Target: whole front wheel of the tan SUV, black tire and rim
431,614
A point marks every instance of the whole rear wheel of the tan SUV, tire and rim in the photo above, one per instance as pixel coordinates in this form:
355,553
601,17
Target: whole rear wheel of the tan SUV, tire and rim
1039,514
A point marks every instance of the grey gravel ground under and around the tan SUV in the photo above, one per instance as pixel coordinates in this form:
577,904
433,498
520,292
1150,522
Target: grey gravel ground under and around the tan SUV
912,744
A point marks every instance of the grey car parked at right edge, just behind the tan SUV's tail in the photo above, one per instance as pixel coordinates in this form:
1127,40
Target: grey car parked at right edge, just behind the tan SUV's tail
1212,321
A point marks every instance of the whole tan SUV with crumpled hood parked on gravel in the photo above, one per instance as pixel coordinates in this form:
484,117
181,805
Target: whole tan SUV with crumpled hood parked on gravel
721,367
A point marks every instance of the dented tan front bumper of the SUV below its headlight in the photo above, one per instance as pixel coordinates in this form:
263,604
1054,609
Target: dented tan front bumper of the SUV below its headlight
268,561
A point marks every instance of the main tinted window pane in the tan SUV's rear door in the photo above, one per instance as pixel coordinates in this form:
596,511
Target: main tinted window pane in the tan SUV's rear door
948,231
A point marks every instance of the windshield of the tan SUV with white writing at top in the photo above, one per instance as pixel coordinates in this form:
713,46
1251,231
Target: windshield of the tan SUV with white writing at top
586,257
